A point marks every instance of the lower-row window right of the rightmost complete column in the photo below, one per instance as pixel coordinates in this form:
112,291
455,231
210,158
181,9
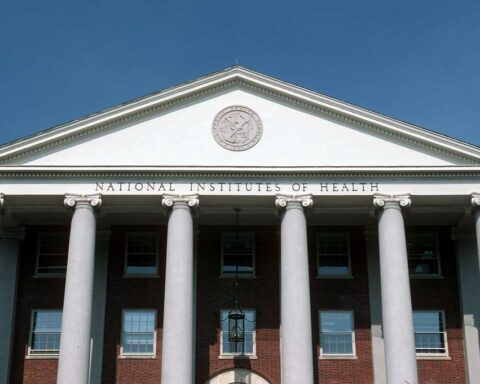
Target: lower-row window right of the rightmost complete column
430,335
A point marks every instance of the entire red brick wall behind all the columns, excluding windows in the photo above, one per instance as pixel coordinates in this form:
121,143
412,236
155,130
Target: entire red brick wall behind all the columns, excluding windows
215,293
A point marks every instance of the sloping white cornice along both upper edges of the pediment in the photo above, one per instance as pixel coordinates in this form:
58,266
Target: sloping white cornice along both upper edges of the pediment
240,76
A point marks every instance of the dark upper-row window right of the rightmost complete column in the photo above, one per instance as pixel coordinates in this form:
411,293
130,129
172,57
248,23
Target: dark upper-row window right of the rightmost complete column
422,254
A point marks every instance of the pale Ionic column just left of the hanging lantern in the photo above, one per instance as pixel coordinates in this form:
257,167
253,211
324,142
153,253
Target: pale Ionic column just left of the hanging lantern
177,344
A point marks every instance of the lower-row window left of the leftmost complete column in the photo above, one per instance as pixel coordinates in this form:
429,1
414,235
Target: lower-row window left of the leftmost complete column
45,332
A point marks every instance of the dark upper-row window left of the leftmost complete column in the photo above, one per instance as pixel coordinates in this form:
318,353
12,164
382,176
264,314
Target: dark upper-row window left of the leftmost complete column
52,253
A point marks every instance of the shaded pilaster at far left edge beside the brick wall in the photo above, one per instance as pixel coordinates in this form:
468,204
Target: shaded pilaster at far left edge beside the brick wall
9,259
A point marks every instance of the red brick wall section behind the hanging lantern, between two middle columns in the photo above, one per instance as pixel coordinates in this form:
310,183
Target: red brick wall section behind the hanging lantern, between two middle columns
261,294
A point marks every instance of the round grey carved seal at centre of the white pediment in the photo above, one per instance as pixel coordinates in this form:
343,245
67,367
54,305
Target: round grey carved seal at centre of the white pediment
237,128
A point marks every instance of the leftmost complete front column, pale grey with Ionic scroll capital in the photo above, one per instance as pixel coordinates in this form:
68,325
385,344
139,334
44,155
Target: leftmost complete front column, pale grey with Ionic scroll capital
74,358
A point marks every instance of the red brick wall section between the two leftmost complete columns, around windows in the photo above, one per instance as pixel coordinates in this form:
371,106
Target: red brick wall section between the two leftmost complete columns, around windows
131,293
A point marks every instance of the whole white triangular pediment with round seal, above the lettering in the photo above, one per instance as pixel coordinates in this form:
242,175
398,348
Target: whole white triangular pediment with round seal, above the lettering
179,128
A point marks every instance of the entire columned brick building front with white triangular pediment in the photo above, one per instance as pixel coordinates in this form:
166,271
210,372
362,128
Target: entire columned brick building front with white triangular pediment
338,260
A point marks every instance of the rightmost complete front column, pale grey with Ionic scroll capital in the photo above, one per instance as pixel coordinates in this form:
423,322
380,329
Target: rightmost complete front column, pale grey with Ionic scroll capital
400,358
